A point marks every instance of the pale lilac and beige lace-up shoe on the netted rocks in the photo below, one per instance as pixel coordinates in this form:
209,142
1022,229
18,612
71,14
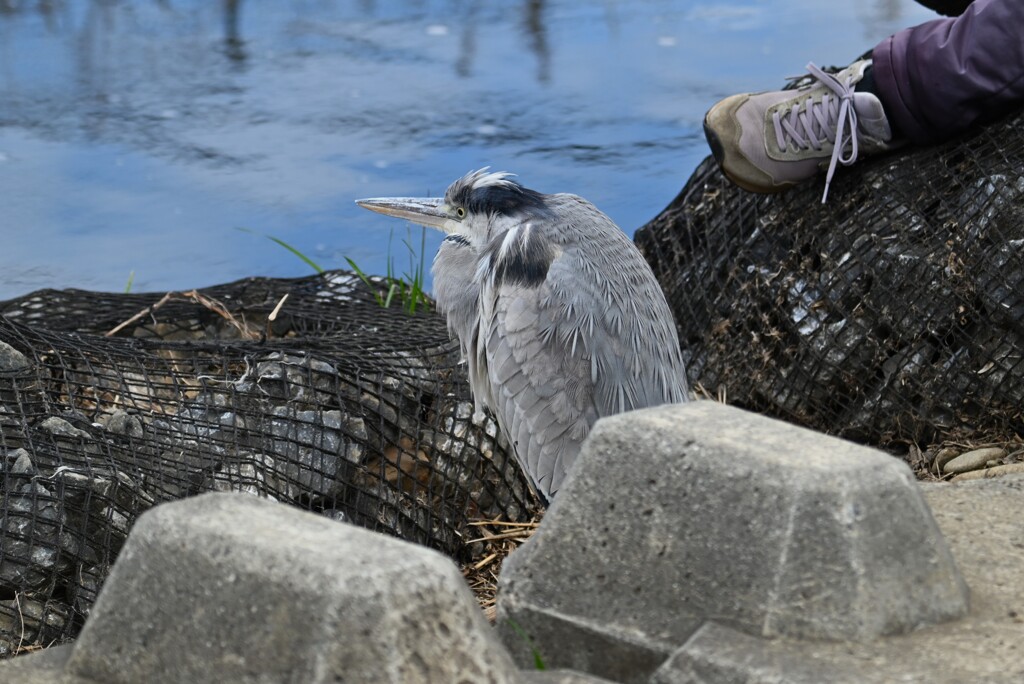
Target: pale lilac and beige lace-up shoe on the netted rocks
769,142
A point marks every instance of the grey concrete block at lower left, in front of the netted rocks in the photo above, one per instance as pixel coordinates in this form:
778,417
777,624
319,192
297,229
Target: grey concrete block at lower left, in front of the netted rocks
228,588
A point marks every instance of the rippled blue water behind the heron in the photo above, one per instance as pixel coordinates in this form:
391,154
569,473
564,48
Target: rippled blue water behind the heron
138,136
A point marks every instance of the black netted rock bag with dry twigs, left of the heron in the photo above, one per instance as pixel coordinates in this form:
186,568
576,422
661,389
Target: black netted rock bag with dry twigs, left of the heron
334,405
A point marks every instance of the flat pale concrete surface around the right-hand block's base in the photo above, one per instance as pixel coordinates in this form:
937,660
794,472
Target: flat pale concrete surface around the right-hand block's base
980,520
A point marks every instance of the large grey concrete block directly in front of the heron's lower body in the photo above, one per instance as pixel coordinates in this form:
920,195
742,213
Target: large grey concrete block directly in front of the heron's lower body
682,515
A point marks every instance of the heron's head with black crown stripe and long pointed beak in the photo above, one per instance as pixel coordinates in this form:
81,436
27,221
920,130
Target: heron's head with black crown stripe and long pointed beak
476,207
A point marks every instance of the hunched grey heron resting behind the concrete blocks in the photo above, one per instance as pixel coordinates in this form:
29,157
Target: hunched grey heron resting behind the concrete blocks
560,318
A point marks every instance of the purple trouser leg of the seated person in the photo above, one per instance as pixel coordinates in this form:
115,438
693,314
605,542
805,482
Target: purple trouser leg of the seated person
940,78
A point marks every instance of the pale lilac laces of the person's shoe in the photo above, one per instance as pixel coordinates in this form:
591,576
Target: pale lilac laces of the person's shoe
808,124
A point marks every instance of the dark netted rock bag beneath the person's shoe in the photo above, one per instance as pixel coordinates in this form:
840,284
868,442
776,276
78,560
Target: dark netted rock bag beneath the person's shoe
892,315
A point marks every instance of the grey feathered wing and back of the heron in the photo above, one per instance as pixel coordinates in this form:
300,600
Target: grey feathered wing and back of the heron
594,339
